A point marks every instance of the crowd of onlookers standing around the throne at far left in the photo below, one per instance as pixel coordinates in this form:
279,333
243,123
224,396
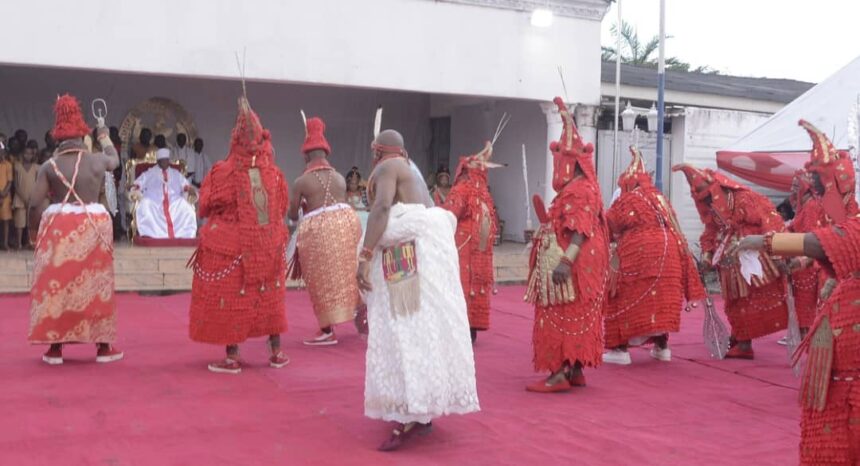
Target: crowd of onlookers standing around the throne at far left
22,157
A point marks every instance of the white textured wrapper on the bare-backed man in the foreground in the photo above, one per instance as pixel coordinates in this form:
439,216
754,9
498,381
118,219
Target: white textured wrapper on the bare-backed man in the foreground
420,365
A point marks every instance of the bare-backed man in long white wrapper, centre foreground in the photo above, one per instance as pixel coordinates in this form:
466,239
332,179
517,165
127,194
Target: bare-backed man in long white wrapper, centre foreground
419,353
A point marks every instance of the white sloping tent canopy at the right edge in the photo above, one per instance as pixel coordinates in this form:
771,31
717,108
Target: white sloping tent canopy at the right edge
829,106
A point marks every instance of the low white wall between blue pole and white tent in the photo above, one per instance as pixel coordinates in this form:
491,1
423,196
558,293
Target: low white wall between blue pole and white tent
696,137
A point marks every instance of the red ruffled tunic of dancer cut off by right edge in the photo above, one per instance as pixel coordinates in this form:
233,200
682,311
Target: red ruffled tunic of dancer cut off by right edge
832,435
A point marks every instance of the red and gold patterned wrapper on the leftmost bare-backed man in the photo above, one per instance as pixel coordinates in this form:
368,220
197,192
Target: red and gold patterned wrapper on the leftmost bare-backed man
73,283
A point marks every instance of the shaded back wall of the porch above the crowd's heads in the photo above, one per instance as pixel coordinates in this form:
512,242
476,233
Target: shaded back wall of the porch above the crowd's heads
348,113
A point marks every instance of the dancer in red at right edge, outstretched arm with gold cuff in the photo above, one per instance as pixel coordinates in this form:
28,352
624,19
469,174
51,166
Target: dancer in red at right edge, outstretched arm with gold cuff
830,390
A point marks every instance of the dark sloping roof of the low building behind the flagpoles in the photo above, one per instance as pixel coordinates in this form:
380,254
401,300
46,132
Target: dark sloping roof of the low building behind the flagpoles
767,89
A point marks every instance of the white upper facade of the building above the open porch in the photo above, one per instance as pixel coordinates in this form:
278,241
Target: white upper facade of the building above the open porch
415,45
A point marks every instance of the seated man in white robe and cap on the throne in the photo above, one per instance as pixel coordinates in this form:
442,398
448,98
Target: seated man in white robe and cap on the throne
163,210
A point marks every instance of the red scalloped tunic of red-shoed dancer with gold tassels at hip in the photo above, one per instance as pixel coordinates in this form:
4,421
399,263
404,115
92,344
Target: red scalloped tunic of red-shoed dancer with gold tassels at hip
572,331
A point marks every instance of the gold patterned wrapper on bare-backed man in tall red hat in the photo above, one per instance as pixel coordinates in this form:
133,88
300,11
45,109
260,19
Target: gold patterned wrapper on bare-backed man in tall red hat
326,245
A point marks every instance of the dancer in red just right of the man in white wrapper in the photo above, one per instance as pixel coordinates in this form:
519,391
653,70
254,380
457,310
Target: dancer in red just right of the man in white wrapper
470,201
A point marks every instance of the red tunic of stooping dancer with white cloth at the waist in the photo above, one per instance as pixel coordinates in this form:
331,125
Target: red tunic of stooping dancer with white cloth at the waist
757,310
